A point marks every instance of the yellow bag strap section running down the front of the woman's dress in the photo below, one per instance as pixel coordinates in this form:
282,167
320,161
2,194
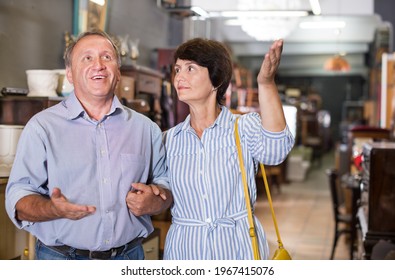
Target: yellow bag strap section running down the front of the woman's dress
252,231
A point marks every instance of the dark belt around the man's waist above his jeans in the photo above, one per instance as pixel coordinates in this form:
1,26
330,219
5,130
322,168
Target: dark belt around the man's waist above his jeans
100,255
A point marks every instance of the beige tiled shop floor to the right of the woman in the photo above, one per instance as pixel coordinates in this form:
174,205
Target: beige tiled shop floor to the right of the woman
304,216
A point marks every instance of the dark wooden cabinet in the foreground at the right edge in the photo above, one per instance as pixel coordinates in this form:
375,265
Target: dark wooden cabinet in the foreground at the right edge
377,203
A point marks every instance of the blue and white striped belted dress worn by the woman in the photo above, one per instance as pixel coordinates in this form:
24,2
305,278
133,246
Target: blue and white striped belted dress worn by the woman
209,211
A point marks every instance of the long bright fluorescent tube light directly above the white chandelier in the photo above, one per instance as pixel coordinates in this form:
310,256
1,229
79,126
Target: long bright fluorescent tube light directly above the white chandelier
262,13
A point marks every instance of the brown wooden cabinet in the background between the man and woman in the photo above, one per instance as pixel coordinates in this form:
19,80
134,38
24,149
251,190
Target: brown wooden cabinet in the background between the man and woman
148,88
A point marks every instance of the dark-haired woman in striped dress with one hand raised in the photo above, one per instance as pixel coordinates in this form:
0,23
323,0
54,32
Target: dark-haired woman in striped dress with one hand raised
209,211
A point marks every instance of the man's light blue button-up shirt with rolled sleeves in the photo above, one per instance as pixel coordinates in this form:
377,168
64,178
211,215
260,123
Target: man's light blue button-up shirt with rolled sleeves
93,163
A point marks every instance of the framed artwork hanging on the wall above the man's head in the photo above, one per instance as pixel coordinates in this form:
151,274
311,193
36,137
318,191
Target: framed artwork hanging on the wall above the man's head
89,14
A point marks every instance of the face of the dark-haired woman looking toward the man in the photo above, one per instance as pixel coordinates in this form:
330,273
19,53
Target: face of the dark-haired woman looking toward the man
192,82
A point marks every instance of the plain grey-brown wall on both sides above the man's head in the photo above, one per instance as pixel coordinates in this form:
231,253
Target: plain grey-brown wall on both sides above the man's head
32,33
